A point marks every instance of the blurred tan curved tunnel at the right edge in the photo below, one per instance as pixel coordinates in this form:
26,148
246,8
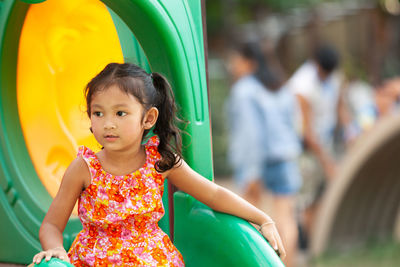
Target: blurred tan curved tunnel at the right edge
363,201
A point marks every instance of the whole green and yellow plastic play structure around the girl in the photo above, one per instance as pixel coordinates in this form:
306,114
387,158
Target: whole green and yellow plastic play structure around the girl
48,52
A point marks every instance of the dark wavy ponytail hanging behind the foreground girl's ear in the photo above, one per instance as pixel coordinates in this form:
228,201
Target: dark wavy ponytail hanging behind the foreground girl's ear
170,146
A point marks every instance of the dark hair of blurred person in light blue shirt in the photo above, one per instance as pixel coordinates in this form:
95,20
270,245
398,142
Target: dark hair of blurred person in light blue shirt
252,51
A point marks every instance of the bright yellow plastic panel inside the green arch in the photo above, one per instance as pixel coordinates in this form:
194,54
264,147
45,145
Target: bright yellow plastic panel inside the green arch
64,43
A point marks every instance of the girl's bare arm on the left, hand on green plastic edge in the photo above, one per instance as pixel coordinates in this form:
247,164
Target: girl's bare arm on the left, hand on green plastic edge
50,234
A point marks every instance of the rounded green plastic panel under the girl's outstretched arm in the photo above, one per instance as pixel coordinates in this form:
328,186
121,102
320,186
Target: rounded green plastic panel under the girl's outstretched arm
209,238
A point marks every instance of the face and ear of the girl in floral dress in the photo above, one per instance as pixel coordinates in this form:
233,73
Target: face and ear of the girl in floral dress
119,120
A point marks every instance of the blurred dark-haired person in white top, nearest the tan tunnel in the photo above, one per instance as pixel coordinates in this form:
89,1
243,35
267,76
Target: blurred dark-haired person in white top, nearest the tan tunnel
318,87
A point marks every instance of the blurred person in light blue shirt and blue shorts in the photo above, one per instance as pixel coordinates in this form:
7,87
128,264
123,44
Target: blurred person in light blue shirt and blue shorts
264,144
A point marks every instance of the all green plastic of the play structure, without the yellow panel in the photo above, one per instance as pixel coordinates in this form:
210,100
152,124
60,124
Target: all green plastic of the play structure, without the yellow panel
171,42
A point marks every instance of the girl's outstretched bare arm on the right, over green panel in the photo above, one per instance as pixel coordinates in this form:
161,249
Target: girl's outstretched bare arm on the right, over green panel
223,200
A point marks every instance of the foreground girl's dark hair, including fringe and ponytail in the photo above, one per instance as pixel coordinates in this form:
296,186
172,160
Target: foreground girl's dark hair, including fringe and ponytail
151,90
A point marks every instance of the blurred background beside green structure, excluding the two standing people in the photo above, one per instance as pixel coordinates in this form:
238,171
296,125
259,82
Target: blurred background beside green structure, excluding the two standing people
365,188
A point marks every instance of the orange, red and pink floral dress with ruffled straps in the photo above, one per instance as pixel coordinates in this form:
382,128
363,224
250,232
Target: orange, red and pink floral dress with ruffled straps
120,215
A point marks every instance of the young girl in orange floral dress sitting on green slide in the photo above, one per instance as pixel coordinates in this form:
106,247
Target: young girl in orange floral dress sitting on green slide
120,188
